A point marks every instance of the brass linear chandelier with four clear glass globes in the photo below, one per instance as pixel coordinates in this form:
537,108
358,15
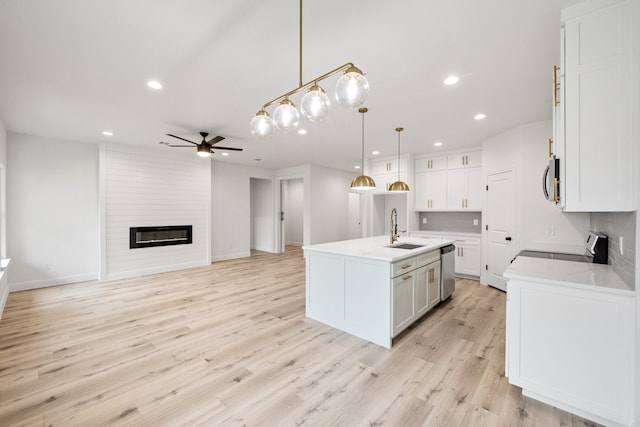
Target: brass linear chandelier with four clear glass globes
352,90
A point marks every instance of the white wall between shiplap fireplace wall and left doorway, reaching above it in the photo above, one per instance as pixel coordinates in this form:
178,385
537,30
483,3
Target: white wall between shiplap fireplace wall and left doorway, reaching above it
231,210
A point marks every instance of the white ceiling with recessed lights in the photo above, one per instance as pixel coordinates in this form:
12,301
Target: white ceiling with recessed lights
70,69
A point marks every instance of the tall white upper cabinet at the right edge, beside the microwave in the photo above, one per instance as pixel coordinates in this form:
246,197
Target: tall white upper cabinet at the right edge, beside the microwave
598,88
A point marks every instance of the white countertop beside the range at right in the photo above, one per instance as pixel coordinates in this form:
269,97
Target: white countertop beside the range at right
567,273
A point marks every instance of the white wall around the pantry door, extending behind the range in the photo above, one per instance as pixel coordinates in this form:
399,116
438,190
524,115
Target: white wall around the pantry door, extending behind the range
525,151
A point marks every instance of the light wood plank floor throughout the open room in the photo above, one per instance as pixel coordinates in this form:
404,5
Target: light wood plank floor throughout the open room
229,344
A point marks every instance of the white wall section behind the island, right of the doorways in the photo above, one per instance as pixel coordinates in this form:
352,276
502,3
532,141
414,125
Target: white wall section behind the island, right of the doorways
329,204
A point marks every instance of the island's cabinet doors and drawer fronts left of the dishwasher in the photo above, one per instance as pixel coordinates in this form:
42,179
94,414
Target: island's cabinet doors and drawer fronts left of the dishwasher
415,288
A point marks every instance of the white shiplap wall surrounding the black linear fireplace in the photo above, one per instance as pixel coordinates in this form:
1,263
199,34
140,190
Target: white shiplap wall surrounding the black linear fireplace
142,187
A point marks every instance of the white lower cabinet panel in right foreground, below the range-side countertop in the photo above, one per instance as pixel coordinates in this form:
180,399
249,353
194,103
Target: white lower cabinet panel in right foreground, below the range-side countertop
572,347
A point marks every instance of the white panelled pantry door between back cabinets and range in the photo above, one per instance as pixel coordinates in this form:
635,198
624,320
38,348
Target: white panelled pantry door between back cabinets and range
500,226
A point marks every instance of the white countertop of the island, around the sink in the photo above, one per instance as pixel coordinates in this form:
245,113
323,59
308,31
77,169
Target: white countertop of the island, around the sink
378,247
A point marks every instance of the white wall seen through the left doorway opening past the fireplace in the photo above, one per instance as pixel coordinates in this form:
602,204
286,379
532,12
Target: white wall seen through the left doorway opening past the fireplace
261,193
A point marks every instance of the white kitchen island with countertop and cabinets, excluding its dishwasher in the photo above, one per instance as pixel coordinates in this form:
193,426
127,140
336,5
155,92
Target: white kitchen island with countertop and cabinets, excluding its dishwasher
370,288
